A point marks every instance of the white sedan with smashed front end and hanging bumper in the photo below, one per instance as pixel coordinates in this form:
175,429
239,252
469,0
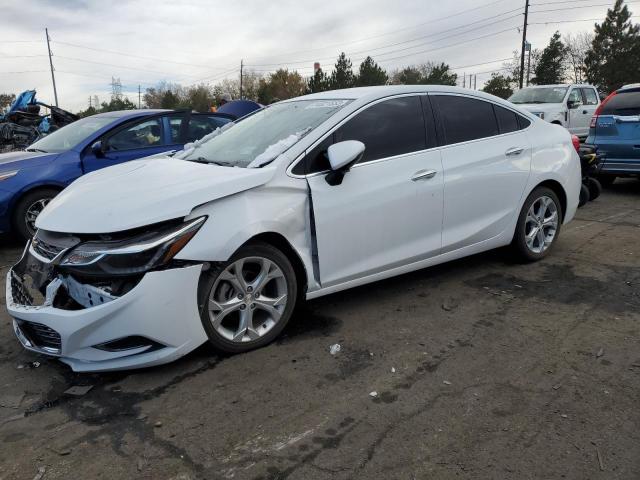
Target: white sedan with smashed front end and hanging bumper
138,264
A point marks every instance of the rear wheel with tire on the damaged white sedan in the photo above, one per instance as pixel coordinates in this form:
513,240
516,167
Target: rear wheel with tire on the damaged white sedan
538,225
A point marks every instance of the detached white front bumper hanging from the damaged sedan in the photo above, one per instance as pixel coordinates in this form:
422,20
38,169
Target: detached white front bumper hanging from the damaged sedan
156,322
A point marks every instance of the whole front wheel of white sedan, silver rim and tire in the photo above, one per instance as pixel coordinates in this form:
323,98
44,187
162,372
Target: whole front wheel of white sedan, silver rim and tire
246,302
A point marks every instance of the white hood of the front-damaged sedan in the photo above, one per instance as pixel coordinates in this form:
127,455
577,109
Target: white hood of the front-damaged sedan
143,192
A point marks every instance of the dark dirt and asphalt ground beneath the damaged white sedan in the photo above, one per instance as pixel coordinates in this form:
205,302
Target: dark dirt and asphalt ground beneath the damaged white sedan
483,369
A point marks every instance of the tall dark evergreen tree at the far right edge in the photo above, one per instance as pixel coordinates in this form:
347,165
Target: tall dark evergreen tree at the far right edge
614,57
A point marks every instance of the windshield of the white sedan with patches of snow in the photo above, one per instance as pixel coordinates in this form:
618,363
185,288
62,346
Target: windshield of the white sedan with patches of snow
261,137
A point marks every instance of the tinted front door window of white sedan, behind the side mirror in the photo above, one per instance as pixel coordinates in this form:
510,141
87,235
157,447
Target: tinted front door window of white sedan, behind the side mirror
389,128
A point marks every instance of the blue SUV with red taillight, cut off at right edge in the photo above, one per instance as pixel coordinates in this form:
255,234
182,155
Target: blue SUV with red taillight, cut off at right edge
615,131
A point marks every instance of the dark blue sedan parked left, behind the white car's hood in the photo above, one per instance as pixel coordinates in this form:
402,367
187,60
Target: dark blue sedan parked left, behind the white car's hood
30,179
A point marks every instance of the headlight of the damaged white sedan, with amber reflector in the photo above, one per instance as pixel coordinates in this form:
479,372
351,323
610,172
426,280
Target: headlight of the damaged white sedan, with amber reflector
137,254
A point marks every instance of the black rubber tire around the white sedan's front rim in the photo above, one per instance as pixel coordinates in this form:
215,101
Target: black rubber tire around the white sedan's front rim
208,281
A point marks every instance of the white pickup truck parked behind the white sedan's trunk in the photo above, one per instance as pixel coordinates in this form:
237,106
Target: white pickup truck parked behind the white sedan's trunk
571,106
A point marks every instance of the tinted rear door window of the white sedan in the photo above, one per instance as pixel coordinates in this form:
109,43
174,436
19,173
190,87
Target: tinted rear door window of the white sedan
465,118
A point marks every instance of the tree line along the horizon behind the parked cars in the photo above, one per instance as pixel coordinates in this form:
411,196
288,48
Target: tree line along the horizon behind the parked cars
607,58
